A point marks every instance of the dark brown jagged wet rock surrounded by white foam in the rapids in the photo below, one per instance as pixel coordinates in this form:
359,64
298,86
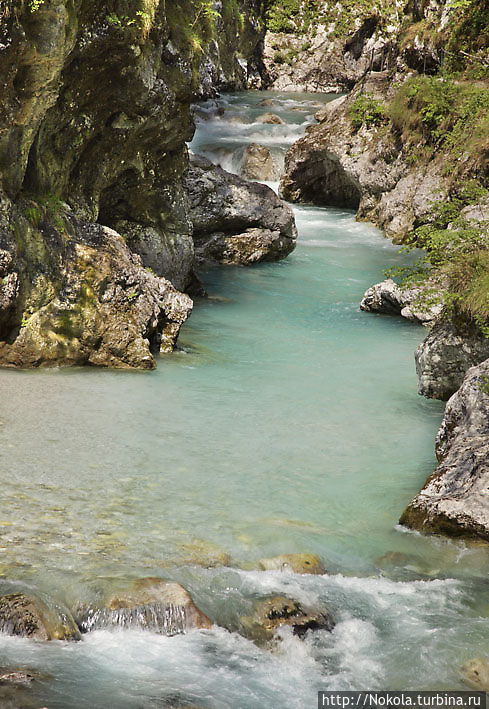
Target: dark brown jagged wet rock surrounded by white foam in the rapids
274,613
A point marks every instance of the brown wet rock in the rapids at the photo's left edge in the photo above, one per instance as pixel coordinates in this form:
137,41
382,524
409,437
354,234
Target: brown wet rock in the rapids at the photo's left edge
28,616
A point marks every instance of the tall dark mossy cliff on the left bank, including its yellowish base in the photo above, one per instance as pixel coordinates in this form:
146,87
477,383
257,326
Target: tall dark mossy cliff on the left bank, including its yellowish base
94,115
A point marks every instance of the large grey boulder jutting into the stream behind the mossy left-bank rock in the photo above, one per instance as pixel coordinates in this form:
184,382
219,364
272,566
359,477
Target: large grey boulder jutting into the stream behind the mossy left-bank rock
236,222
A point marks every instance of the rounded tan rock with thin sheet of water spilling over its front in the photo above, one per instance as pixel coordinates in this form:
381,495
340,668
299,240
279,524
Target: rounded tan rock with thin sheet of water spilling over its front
150,603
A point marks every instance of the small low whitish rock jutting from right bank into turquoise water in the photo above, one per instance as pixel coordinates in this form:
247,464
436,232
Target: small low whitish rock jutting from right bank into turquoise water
390,299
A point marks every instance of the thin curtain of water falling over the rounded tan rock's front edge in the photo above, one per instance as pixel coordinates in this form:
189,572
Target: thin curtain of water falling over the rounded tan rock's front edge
166,619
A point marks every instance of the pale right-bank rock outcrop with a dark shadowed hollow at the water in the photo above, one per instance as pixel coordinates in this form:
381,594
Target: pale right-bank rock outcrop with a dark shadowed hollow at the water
338,164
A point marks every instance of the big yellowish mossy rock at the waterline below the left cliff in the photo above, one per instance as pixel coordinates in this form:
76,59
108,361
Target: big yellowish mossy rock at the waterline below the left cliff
84,298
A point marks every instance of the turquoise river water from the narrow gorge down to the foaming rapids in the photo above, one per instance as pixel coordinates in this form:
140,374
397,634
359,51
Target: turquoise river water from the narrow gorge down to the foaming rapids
287,421
